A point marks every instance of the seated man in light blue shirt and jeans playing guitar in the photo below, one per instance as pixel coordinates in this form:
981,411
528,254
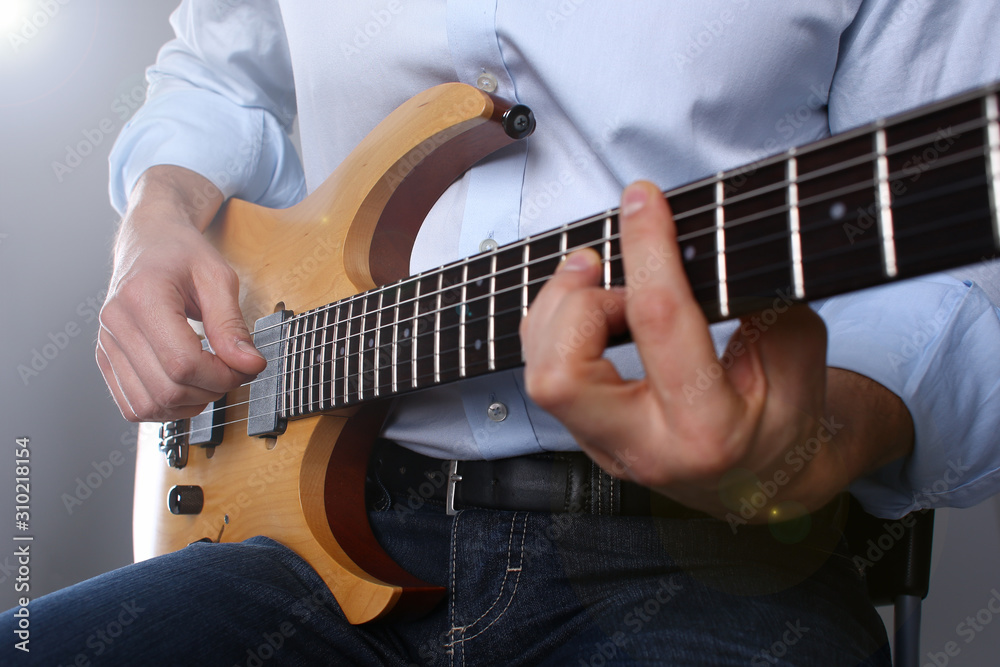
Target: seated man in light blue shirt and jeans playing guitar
622,93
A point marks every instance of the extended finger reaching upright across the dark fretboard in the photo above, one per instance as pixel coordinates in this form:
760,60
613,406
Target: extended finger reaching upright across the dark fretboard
666,322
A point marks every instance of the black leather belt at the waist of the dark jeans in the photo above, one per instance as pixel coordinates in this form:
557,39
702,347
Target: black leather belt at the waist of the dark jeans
559,482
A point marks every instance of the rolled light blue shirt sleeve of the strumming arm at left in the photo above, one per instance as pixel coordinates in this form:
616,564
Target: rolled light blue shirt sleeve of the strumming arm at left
221,102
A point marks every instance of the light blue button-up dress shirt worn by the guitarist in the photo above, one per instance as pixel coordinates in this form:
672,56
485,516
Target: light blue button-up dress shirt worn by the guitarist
665,90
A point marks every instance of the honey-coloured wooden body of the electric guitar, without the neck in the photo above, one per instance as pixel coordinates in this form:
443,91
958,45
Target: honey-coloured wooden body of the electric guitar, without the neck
354,232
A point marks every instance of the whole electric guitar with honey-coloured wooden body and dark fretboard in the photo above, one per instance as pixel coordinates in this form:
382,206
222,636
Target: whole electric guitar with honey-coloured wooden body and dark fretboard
324,287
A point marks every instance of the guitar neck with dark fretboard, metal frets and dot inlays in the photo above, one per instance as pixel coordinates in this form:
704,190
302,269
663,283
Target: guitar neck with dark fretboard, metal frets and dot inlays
904,197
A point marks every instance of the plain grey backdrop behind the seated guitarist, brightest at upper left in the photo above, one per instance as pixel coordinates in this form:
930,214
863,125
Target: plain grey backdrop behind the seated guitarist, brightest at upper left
67,83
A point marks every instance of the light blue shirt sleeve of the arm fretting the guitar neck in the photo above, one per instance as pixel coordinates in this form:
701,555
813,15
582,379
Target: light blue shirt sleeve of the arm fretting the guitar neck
933,341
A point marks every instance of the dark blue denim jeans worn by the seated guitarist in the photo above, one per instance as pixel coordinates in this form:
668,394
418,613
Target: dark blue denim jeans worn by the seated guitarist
523,588
